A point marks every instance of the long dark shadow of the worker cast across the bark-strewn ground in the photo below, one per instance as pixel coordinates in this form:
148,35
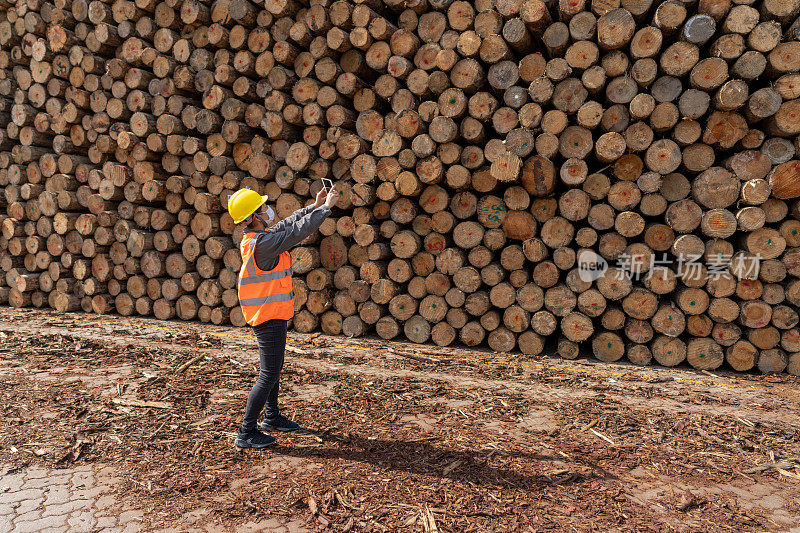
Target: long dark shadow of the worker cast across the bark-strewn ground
421,458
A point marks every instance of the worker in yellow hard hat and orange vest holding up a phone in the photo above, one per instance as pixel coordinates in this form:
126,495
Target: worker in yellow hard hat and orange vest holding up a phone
266,297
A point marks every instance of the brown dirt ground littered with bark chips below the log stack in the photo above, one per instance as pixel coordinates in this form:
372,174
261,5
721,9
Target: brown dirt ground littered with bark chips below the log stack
399,437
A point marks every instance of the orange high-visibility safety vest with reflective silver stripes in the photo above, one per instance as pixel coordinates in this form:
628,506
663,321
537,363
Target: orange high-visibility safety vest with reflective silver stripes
264,294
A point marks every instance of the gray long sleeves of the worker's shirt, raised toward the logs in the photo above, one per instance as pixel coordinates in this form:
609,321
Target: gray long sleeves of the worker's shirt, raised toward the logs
288,233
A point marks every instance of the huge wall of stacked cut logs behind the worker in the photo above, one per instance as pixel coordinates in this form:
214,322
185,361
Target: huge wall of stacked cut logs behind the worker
484,149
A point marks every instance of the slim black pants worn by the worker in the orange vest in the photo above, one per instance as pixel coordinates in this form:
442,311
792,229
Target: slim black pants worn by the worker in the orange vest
271,337
